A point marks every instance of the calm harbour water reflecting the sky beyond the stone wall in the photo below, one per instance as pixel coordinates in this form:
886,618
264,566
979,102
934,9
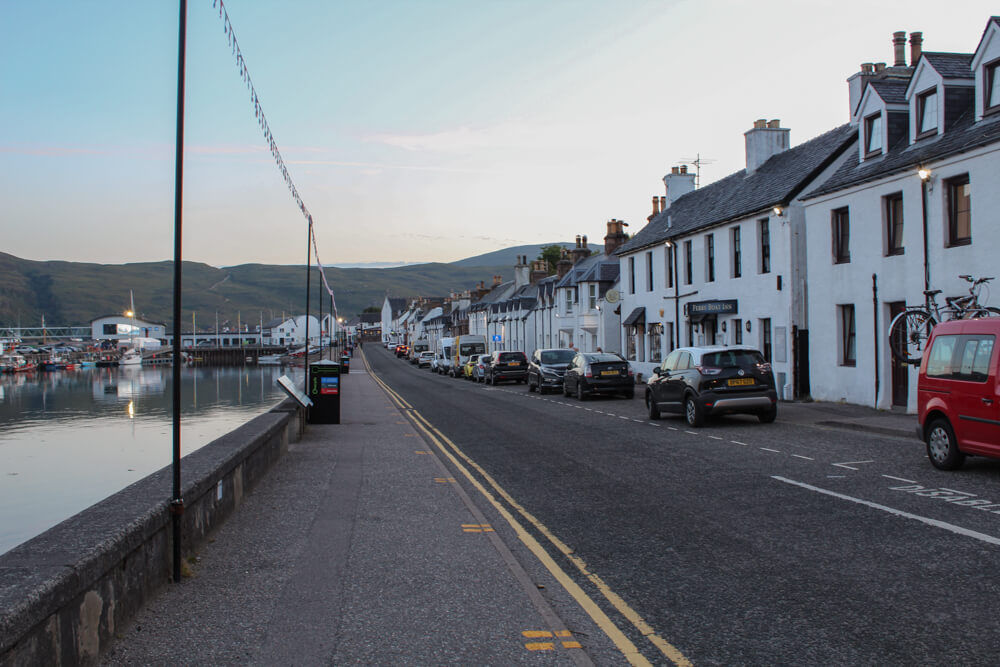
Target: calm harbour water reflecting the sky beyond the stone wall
70,439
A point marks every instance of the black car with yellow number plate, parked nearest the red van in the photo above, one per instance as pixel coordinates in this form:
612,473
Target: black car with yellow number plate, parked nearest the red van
713,380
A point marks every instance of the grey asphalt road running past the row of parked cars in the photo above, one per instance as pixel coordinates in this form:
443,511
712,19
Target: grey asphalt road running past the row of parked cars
738,543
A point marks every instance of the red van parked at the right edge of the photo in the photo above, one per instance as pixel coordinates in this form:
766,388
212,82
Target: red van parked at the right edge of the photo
958,392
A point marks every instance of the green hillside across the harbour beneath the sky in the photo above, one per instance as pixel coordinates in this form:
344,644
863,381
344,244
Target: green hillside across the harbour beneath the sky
74,293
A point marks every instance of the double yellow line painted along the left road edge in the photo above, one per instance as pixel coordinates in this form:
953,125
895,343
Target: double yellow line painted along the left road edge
463,464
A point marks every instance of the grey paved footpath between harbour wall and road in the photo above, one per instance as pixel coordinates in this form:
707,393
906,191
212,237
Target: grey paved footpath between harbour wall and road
360,549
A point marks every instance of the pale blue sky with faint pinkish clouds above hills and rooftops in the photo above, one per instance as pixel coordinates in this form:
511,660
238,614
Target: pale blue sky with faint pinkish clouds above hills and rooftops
414,131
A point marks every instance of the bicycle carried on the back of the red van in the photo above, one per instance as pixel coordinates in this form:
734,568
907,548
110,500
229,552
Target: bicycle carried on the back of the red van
910,329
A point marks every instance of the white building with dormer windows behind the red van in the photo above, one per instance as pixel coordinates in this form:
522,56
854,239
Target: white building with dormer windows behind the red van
912,209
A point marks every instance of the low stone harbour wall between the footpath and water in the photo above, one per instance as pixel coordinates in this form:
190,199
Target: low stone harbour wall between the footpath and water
65,594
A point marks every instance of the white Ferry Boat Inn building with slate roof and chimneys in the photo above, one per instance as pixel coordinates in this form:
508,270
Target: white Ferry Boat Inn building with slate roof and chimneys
724,263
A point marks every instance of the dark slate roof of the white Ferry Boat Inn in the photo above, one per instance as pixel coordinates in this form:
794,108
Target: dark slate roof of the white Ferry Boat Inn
777,181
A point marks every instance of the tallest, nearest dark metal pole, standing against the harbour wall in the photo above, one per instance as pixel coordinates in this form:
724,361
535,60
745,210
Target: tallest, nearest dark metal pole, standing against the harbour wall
177,503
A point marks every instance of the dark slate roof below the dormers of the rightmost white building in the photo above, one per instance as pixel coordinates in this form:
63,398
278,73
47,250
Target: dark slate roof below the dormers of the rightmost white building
964,136
